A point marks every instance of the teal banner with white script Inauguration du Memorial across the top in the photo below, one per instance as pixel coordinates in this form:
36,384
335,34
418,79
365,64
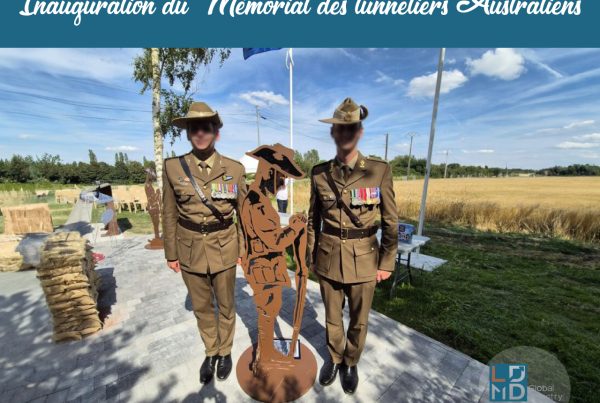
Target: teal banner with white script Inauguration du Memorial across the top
355,23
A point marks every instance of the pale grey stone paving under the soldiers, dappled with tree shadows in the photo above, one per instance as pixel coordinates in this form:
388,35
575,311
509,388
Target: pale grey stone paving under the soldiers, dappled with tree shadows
150,349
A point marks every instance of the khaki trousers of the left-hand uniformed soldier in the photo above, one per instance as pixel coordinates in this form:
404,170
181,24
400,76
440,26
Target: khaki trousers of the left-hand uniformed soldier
216,331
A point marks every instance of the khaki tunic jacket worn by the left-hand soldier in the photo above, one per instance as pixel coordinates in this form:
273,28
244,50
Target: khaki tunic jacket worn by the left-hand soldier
196,252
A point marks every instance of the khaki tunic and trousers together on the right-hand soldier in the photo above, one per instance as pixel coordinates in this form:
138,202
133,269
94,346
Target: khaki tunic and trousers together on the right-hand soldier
347,268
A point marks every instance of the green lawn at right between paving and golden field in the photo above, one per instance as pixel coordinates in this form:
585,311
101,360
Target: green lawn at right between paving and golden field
501,291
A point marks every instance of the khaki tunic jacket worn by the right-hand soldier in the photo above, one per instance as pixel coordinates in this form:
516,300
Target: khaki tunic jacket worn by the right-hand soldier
352,260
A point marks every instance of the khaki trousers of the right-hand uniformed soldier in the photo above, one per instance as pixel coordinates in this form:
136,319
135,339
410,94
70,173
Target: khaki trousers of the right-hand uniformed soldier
347,347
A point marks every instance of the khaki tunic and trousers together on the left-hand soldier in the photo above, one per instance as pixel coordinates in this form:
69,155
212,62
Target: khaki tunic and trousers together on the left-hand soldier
207,260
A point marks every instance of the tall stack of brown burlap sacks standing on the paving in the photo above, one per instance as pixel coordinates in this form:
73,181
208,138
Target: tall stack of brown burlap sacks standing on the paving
70,284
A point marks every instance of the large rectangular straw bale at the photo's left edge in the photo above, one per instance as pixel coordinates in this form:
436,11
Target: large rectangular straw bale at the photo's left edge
27,218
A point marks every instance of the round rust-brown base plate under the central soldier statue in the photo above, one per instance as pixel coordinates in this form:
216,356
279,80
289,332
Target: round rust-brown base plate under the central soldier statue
278,386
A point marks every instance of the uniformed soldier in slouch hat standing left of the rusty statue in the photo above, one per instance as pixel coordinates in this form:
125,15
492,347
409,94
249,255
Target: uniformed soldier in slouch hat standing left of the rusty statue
200,236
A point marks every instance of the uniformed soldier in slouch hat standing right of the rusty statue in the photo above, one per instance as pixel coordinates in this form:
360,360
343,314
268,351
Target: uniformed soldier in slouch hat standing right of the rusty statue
348,194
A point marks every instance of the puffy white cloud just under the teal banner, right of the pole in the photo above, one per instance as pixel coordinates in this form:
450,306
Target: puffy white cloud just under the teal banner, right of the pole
505,64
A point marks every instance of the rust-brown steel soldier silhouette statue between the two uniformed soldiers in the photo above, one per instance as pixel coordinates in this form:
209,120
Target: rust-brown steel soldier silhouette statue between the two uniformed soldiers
265,265
